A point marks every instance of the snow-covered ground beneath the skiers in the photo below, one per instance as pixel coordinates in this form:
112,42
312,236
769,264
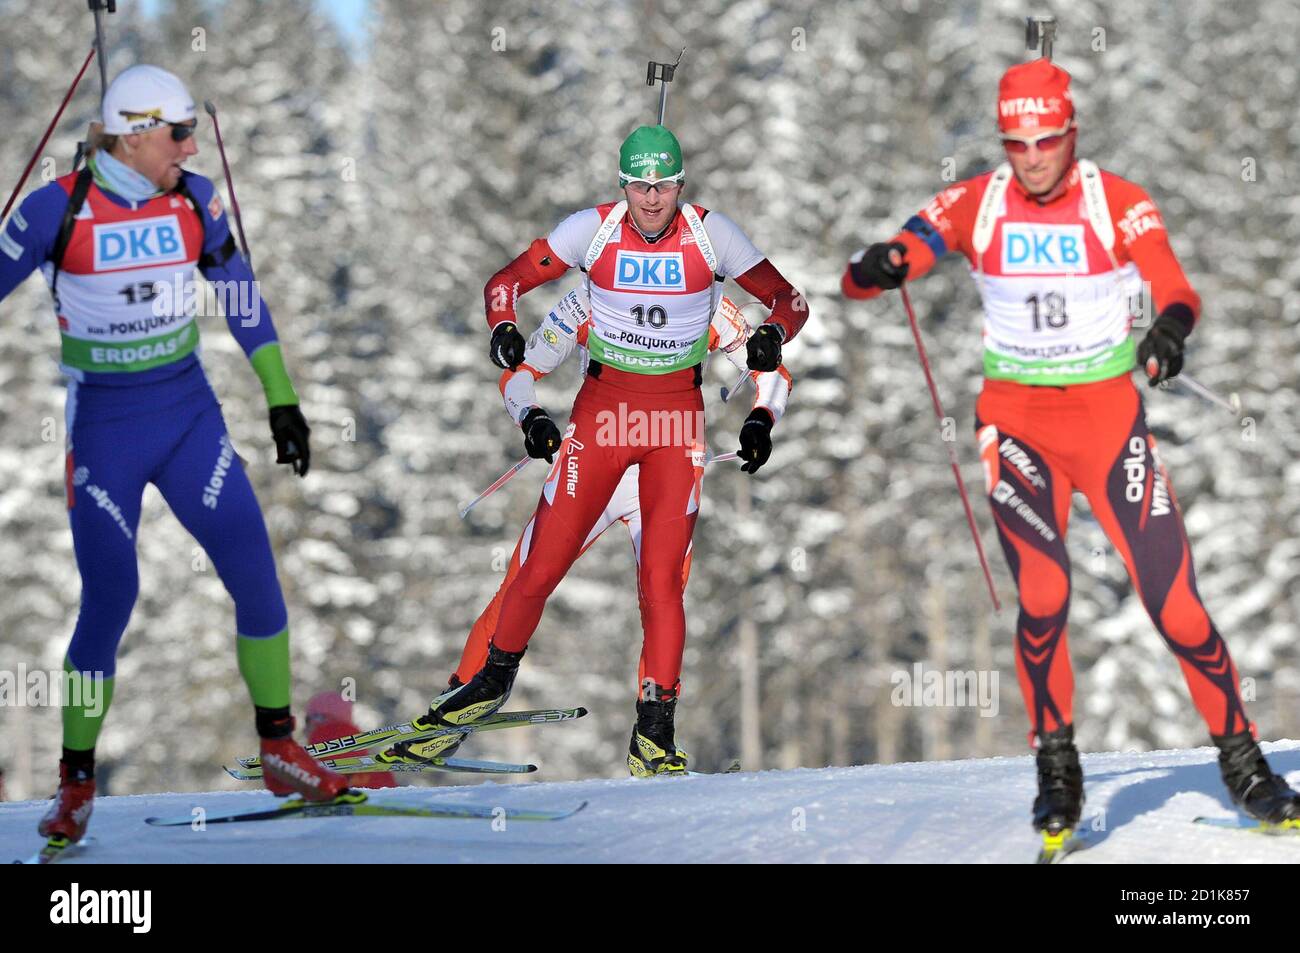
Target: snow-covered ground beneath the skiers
961,812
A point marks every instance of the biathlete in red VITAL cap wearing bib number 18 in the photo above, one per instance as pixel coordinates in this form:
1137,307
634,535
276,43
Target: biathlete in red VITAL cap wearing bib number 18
1060,250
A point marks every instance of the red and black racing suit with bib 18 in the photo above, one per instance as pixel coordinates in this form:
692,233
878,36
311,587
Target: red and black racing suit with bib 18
1061,284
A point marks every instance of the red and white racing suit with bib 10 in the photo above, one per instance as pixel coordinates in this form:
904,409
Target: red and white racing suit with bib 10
652,306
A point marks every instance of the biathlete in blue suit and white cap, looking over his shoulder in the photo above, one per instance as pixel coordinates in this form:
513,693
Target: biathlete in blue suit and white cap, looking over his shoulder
119,245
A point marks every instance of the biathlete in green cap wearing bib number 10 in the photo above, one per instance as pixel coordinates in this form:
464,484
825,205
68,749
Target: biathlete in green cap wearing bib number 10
653,274
